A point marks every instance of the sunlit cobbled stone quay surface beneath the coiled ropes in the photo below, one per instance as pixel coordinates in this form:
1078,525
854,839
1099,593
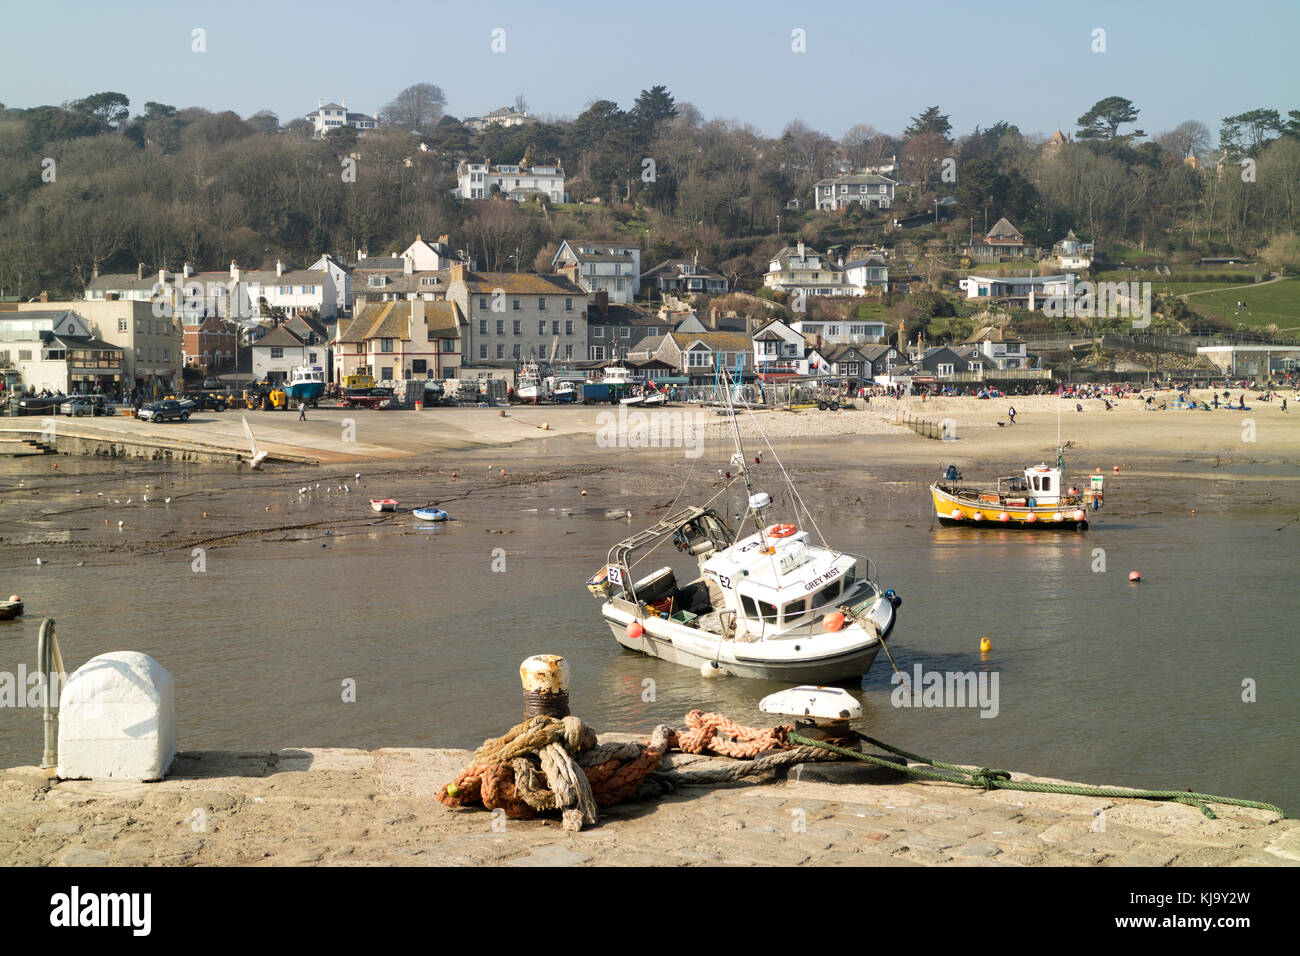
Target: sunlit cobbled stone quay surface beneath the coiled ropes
340,807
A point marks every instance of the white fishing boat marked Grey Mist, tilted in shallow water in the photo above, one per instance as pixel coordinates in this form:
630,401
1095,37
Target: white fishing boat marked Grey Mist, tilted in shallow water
775,605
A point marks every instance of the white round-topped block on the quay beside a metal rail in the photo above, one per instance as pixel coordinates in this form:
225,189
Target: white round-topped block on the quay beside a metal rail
118,720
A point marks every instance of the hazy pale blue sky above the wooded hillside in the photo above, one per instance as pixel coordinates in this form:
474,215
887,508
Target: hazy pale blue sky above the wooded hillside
1030,63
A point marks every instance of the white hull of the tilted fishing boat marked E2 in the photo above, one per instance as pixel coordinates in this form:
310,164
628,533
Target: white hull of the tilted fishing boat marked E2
811,660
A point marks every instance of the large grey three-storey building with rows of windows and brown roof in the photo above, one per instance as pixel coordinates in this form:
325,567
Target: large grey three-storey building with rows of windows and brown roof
519,317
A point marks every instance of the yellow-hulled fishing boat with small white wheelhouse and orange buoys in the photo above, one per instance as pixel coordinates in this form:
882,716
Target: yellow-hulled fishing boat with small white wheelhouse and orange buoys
1037,499
